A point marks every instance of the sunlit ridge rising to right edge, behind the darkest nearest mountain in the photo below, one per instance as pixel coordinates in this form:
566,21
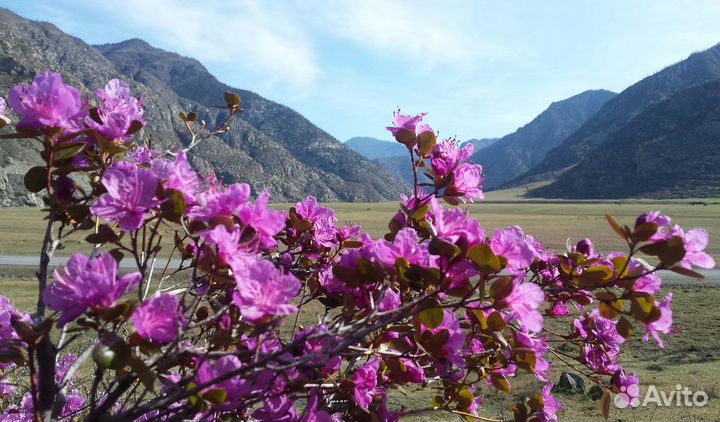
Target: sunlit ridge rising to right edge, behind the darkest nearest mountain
697,69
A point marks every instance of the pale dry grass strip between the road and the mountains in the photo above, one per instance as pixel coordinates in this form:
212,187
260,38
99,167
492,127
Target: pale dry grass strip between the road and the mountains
552,222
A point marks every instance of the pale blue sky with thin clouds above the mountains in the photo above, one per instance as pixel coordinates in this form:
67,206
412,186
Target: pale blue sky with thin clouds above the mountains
480,68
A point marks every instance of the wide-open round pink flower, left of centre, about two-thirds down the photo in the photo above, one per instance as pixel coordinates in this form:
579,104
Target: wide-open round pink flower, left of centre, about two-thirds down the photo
265,292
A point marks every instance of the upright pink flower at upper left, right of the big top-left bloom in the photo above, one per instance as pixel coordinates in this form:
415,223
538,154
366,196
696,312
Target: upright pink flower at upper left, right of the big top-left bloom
117,110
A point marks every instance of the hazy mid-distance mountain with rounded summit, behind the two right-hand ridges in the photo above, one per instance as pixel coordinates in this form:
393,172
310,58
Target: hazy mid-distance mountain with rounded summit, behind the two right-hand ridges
516,153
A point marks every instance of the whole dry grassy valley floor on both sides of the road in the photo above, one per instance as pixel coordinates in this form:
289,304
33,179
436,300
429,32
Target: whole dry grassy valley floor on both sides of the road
690,357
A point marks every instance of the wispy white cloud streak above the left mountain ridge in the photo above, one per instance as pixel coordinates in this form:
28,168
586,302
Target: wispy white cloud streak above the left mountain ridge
246,34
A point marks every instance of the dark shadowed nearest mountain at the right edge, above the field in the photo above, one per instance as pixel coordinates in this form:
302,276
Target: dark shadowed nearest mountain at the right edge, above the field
670,149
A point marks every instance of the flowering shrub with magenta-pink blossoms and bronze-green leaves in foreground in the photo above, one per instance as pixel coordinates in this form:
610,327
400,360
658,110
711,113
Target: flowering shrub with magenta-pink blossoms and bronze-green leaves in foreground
437,303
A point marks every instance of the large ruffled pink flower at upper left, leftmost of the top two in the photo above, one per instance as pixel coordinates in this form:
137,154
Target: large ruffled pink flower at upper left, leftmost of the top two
47,102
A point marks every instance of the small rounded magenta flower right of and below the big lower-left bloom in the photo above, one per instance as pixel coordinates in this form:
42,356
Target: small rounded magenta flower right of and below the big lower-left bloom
159,319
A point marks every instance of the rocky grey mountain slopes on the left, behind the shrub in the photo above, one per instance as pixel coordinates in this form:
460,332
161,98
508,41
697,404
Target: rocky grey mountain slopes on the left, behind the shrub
269,146
